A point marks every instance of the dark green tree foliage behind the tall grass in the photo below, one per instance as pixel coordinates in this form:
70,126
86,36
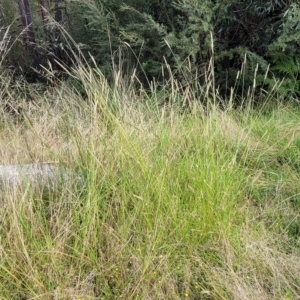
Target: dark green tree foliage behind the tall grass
156,36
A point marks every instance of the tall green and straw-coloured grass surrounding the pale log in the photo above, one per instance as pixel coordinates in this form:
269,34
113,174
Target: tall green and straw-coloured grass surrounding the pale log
178,205
